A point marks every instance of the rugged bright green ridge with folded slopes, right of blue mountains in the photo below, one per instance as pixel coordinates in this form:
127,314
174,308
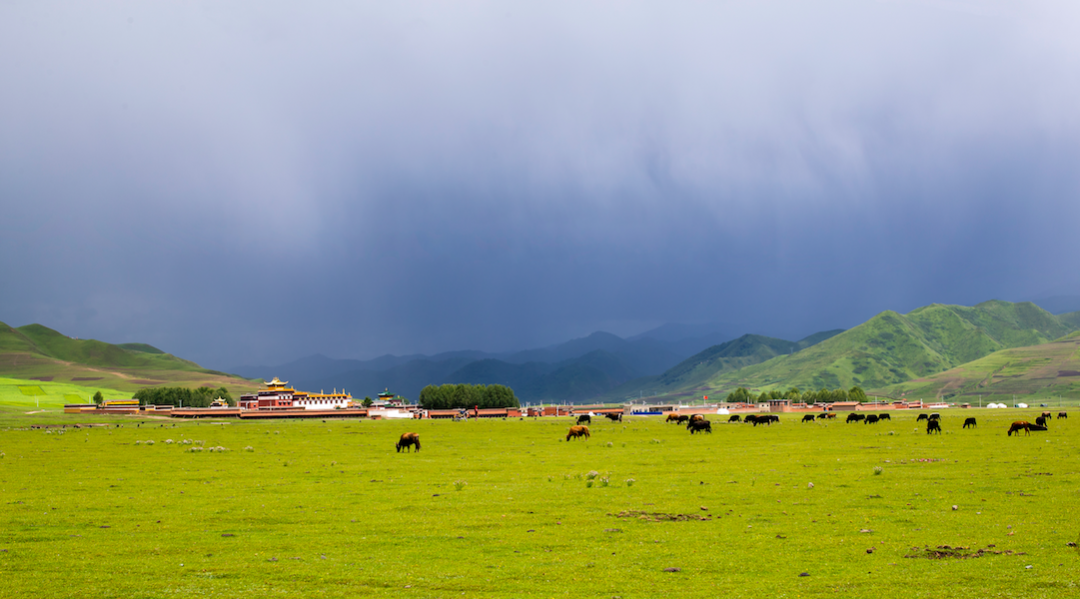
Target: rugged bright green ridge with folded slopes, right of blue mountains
893,348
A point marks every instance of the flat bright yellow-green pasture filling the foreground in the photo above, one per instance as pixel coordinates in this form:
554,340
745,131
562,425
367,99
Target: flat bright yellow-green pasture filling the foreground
509,509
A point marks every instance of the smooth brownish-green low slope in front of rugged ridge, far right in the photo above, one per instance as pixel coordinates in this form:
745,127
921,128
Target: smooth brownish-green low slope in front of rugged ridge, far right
1044,372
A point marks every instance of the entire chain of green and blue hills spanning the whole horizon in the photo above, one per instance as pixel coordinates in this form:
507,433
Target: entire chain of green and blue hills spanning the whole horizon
940,351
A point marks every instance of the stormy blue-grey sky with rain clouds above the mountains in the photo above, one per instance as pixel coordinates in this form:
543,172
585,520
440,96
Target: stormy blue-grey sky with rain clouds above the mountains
242,183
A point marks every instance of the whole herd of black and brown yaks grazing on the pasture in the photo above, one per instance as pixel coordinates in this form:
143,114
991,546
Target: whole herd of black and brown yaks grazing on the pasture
697,424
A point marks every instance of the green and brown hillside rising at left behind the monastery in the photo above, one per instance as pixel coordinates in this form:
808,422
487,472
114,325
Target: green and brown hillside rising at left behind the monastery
38,352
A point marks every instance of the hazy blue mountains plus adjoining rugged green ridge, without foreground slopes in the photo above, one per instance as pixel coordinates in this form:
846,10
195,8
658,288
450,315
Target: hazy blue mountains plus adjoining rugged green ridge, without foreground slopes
877,356
